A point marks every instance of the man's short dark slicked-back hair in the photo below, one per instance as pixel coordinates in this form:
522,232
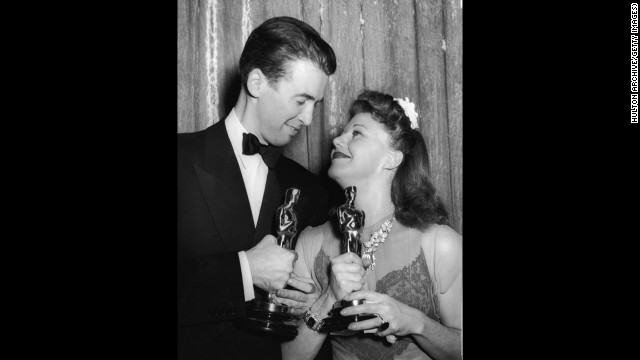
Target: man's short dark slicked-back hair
280,40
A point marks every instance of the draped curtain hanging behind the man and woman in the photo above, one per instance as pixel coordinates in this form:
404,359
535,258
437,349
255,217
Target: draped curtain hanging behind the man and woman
408,48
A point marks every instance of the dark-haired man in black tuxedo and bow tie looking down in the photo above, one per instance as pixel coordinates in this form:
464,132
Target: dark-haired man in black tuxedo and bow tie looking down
231,180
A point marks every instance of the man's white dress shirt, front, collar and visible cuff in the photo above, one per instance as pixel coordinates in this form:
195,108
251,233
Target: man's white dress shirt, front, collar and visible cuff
254,173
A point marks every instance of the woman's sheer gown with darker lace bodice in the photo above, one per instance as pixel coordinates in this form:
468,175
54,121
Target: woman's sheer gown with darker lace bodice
402,271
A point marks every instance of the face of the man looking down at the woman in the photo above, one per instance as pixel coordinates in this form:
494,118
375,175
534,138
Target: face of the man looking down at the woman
288,105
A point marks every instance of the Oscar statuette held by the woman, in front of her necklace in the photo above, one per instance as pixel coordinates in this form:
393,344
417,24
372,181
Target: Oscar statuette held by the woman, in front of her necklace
351,221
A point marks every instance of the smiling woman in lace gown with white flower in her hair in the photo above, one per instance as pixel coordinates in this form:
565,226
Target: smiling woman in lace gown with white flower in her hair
413,276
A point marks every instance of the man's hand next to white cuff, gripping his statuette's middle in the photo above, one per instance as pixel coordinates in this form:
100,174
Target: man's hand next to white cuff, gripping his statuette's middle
271,266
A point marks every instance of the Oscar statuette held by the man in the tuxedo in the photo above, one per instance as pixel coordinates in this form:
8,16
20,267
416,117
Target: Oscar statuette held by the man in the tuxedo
269,316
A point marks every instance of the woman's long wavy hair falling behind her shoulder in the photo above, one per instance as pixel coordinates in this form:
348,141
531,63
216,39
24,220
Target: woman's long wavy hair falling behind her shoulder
413,194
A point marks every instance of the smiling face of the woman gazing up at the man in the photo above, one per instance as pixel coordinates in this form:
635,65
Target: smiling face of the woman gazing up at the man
360,151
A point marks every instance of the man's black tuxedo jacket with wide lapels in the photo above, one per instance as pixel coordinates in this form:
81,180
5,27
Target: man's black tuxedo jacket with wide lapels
214,224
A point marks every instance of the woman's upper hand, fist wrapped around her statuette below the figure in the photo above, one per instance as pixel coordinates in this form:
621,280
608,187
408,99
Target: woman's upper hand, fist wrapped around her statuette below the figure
347,275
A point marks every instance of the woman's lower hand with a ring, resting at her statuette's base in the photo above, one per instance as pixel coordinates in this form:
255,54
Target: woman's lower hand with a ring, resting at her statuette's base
401,318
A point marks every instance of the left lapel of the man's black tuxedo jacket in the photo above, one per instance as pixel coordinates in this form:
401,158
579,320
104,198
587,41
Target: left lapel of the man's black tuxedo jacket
224,192
